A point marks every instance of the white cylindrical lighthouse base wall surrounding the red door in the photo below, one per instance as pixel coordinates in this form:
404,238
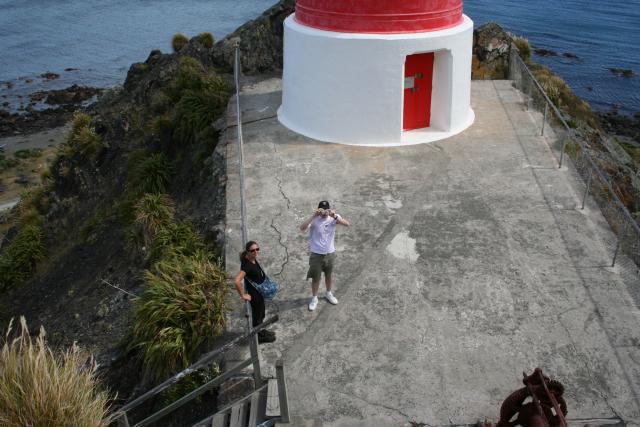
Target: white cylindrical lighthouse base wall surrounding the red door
348,88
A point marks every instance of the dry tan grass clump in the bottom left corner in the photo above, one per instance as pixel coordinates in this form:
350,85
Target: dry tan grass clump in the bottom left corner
41,388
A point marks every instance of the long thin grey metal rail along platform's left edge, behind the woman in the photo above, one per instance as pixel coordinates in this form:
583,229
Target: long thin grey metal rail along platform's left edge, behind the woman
253,339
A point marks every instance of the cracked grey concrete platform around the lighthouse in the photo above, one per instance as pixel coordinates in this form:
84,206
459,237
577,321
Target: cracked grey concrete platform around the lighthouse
468,262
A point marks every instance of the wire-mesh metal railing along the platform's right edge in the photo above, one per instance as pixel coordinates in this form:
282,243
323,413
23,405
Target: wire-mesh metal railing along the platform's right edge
564,142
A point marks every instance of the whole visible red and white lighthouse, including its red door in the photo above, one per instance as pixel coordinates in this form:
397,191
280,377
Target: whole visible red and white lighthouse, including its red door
377,72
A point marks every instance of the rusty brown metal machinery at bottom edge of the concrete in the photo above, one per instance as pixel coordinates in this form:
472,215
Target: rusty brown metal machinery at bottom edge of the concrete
546,408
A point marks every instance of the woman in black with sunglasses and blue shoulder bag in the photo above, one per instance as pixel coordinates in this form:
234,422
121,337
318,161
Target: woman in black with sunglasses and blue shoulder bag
250,269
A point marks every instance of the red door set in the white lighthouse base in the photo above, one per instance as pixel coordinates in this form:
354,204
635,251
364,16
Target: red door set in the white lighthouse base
418,76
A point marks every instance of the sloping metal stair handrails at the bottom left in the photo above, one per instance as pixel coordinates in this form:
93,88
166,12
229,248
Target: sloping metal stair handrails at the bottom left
232,351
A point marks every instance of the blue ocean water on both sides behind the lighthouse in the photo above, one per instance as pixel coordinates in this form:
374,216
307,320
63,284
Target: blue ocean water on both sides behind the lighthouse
96,41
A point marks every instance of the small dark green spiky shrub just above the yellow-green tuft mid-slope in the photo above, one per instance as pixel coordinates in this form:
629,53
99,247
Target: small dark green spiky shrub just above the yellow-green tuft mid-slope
150,175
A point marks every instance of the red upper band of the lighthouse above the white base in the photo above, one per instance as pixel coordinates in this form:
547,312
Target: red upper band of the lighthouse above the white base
379,16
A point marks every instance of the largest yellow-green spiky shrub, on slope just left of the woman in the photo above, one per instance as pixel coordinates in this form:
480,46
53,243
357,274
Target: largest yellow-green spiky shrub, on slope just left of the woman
182,307
